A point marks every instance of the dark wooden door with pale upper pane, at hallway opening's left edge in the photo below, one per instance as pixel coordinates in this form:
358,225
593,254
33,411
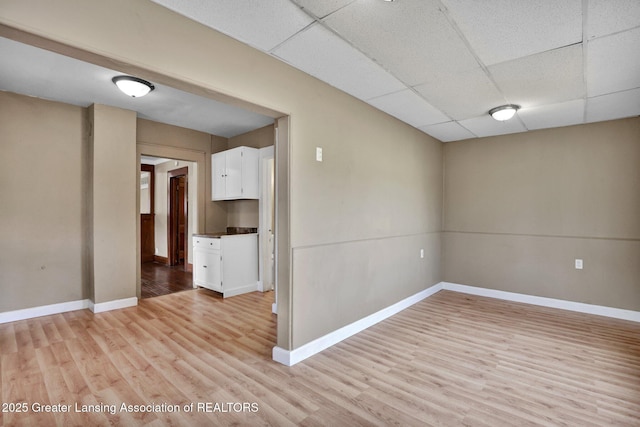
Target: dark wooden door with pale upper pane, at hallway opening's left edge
147,216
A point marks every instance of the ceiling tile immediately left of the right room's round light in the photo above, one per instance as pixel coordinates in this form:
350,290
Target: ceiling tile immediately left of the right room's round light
464,95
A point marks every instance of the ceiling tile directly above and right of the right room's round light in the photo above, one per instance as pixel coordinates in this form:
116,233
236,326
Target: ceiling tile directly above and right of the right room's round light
545,78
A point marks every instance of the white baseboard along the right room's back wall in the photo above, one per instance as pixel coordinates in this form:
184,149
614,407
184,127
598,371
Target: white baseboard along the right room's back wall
599,310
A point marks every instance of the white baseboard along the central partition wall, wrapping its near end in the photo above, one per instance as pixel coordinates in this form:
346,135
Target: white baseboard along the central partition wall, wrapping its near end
291,357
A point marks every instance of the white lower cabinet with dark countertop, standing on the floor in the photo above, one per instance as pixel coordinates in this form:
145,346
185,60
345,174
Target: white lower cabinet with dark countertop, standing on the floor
227,264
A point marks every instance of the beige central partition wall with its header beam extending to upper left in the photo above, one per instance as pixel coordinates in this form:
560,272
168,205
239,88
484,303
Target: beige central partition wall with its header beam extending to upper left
380,182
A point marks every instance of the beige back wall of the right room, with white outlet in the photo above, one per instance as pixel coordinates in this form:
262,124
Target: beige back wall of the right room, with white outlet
519,209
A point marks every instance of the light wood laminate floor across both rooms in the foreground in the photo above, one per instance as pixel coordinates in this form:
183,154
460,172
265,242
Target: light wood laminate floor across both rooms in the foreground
450,360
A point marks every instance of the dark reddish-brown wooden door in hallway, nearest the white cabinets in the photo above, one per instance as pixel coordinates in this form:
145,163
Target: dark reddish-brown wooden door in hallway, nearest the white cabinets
178,223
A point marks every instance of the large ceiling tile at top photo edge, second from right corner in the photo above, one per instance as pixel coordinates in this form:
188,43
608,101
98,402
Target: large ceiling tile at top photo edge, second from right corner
502,30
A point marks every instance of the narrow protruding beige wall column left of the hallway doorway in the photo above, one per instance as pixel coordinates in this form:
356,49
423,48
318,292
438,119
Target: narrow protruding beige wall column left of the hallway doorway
114,214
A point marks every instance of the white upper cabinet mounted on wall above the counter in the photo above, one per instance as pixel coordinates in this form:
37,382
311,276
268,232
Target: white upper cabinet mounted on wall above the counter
234,174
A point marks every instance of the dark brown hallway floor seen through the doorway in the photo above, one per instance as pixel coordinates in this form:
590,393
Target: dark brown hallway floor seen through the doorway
159,279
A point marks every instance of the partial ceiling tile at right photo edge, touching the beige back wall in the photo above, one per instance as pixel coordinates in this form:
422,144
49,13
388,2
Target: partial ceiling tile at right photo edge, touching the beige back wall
613,106
